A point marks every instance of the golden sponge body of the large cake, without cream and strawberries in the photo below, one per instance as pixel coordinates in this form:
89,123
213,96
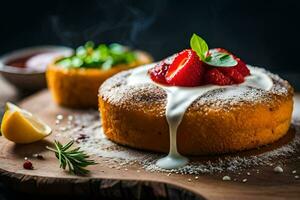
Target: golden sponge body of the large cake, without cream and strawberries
214,123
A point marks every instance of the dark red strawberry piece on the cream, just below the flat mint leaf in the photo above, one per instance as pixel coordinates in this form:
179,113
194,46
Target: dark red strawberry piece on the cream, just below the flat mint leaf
215,77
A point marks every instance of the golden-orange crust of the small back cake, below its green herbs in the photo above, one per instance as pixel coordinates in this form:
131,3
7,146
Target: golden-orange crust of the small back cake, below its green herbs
78,88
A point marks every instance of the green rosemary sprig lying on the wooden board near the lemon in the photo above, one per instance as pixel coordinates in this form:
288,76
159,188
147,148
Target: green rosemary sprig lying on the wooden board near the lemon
75,160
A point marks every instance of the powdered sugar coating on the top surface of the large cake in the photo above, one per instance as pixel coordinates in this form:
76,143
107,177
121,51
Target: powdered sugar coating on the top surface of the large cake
116,91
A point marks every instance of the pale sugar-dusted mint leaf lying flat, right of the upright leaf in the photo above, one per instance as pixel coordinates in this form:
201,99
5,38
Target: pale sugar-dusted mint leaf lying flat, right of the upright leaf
220,59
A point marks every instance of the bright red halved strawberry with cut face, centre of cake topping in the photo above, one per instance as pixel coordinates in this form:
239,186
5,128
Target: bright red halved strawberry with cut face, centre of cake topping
186,69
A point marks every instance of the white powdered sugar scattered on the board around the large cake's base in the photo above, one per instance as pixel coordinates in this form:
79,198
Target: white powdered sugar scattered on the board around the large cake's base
95,143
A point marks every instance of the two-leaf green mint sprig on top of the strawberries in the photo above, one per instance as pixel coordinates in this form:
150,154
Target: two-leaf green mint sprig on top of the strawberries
210,57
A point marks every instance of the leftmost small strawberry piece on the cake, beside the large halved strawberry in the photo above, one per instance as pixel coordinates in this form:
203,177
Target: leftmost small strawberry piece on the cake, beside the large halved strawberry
158,73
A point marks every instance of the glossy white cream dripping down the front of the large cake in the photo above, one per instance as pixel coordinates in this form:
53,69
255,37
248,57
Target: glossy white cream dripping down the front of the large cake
180,98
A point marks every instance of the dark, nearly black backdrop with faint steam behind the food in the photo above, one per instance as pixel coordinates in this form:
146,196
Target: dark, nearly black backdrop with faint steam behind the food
263,33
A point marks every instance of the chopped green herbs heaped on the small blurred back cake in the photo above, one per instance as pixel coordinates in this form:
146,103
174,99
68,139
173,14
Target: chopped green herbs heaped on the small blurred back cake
101,56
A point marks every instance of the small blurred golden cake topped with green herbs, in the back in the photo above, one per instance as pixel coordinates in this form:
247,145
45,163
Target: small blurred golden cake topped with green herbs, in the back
74,81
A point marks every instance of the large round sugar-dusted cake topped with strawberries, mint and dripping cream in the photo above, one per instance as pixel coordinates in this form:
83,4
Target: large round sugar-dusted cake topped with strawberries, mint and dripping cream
204,112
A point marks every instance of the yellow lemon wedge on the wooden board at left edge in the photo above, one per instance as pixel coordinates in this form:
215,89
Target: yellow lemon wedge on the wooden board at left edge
20,126
